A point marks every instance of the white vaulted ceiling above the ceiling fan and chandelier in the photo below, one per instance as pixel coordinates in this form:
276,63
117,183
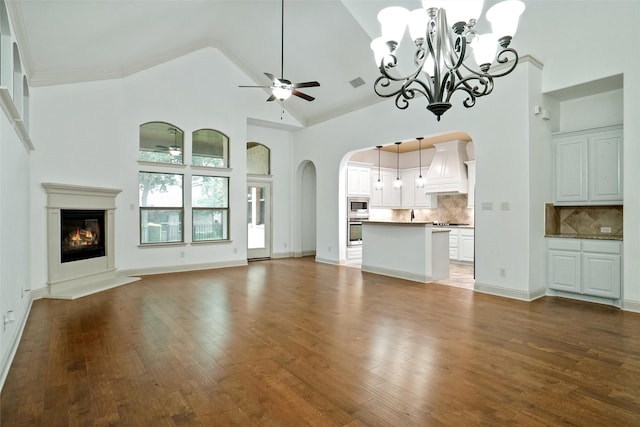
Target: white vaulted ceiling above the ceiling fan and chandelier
68,41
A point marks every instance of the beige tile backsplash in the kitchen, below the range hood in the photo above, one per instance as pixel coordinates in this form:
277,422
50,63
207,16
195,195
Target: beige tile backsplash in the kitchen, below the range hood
452,208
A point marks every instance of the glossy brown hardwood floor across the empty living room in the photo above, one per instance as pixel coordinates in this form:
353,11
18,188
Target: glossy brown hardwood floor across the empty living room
293,343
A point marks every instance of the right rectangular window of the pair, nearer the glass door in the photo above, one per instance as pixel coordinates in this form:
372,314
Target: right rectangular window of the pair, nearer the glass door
210,201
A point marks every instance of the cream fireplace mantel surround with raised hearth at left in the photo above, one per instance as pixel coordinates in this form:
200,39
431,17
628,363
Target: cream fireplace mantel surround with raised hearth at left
75,279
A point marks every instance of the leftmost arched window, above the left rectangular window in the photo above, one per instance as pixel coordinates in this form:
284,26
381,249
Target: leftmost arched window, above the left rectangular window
161,142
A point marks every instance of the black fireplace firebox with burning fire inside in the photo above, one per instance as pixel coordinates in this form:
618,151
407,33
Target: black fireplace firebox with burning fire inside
82,234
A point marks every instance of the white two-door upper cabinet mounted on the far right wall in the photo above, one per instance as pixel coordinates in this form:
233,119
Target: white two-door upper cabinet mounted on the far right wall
588,167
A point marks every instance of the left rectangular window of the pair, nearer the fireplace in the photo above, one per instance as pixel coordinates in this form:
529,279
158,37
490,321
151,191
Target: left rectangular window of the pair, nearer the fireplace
161,207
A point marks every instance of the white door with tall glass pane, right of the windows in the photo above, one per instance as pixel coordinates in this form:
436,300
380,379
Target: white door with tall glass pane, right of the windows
258,220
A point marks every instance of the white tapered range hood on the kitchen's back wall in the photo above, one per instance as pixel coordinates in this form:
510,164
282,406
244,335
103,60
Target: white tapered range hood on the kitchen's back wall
448,173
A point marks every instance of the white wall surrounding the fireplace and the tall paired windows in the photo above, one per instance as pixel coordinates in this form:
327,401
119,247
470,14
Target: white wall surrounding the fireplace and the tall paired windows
89,136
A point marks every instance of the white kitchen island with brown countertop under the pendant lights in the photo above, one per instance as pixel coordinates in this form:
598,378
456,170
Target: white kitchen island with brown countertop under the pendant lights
407,250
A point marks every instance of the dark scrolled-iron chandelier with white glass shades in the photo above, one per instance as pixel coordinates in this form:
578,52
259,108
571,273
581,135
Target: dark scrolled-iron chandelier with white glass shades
442,59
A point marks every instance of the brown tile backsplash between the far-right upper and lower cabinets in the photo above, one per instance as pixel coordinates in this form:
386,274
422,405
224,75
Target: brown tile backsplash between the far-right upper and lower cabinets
583,220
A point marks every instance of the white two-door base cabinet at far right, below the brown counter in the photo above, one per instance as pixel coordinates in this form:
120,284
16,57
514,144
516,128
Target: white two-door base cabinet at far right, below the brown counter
587,267
